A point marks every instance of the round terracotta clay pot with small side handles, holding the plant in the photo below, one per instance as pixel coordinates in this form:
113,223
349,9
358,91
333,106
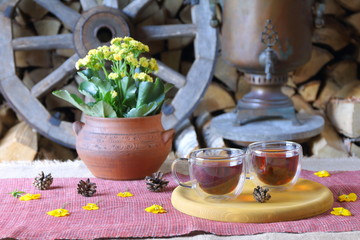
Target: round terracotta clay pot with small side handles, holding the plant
122,148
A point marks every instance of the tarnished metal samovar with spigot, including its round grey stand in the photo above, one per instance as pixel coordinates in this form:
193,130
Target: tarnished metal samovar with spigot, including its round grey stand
267,39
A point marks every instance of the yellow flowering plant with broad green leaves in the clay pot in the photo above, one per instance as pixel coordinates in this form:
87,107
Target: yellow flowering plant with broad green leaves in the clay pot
120,81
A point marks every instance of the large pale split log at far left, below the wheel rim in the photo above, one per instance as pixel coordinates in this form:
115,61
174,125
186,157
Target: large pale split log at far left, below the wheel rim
19,143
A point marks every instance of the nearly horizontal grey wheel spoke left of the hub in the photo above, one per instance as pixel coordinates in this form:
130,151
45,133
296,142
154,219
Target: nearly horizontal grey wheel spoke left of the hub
43,42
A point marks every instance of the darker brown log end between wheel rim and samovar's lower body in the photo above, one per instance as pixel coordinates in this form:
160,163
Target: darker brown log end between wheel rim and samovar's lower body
226,73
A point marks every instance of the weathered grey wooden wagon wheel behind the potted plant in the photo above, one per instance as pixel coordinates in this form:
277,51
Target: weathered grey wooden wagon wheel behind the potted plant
85,27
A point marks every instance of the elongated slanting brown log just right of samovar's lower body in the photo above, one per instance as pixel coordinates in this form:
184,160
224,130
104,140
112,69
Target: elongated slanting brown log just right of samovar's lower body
319,57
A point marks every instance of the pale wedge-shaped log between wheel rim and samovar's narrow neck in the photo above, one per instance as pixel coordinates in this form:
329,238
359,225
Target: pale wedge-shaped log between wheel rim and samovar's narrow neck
216,98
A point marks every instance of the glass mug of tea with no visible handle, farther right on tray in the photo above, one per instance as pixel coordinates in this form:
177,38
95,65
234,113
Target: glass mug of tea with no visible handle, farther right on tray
274,164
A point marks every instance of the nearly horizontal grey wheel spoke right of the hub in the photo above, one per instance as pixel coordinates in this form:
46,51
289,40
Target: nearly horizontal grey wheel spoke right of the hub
166,31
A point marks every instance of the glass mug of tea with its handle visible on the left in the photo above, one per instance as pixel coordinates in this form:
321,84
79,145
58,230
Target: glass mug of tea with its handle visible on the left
215,173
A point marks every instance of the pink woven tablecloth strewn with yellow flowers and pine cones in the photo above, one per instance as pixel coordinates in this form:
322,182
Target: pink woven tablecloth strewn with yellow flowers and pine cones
125,217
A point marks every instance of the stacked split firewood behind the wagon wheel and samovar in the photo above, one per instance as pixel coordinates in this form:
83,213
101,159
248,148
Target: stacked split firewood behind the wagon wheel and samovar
328,84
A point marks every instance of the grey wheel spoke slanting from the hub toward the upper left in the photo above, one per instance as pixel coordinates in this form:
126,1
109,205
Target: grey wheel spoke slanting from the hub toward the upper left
67,15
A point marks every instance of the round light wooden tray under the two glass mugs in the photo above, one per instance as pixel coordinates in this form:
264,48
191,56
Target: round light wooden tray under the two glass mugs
306,199
